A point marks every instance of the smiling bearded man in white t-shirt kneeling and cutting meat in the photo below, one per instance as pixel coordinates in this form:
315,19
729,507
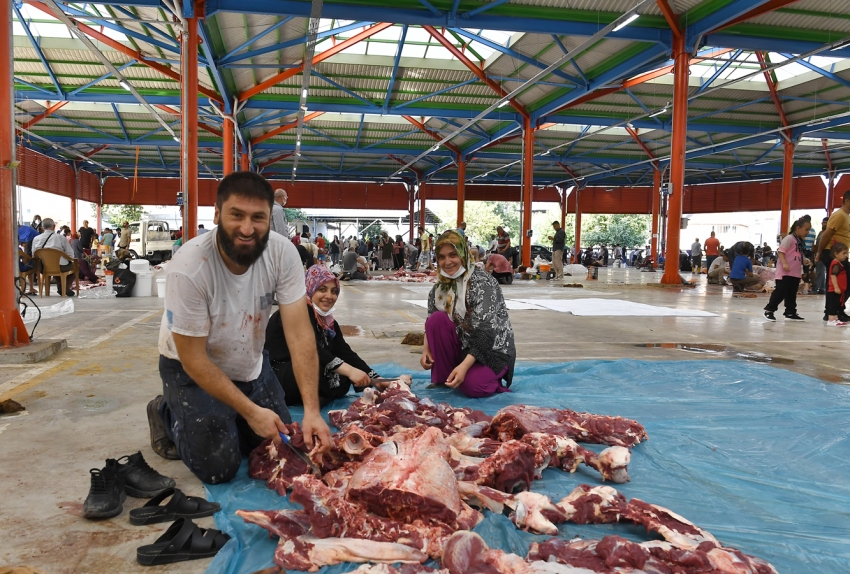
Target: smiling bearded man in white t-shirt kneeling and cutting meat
220,396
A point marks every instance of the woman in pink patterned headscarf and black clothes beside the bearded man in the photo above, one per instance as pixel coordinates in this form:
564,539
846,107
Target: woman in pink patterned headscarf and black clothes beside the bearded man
339,366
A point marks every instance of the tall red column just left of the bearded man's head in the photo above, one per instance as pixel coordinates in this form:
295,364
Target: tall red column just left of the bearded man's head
189,127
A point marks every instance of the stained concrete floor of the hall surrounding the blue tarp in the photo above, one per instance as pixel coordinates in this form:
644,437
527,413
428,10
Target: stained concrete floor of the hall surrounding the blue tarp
88,403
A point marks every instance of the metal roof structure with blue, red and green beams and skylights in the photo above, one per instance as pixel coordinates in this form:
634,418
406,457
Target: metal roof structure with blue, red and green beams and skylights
389,78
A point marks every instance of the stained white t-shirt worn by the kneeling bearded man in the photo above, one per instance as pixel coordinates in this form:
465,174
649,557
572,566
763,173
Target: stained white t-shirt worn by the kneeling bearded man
204,299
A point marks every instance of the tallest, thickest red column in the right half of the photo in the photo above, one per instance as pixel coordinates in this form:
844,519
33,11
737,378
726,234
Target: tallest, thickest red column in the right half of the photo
677,160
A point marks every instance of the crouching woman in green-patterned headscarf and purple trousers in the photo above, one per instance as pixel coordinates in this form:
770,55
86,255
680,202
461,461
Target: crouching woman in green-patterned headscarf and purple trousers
469,341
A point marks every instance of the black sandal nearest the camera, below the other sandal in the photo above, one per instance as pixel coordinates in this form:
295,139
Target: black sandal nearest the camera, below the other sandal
184,540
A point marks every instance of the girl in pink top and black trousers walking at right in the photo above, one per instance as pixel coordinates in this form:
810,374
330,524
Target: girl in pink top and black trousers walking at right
789,271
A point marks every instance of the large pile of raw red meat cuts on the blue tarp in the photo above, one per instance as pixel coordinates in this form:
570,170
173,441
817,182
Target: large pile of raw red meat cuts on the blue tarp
407,480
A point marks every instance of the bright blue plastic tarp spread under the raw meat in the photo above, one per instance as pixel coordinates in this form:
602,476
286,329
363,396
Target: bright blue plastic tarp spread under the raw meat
758,456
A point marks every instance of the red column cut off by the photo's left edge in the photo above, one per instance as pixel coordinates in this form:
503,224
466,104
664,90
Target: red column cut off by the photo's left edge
12,330
